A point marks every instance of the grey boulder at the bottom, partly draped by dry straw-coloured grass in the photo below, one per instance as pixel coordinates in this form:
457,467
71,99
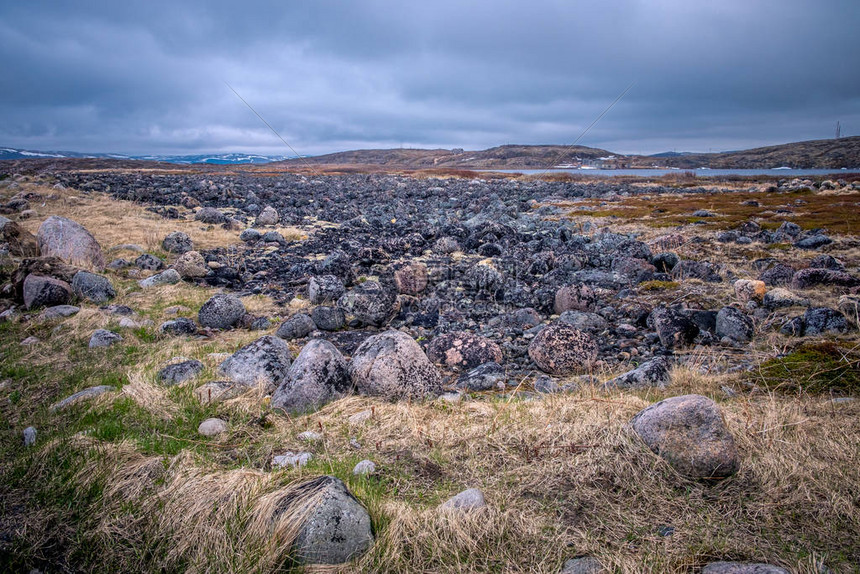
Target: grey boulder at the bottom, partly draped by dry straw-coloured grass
337,528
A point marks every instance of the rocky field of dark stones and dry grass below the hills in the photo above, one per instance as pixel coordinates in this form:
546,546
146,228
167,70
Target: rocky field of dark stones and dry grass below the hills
239,371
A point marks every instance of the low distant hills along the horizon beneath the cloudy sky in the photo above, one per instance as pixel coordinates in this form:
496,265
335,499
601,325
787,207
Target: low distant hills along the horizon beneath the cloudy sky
814,154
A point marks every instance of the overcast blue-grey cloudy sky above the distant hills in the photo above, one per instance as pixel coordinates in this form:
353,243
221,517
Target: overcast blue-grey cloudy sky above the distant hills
149,77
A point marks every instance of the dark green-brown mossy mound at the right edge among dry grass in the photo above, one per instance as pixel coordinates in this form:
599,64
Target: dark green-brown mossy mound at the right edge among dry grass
813,368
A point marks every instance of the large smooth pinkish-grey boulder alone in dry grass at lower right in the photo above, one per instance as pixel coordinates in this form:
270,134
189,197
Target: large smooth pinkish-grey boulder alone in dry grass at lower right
690,434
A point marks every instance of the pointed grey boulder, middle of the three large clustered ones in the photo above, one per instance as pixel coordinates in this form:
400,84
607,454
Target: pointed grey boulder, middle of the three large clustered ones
319,375
